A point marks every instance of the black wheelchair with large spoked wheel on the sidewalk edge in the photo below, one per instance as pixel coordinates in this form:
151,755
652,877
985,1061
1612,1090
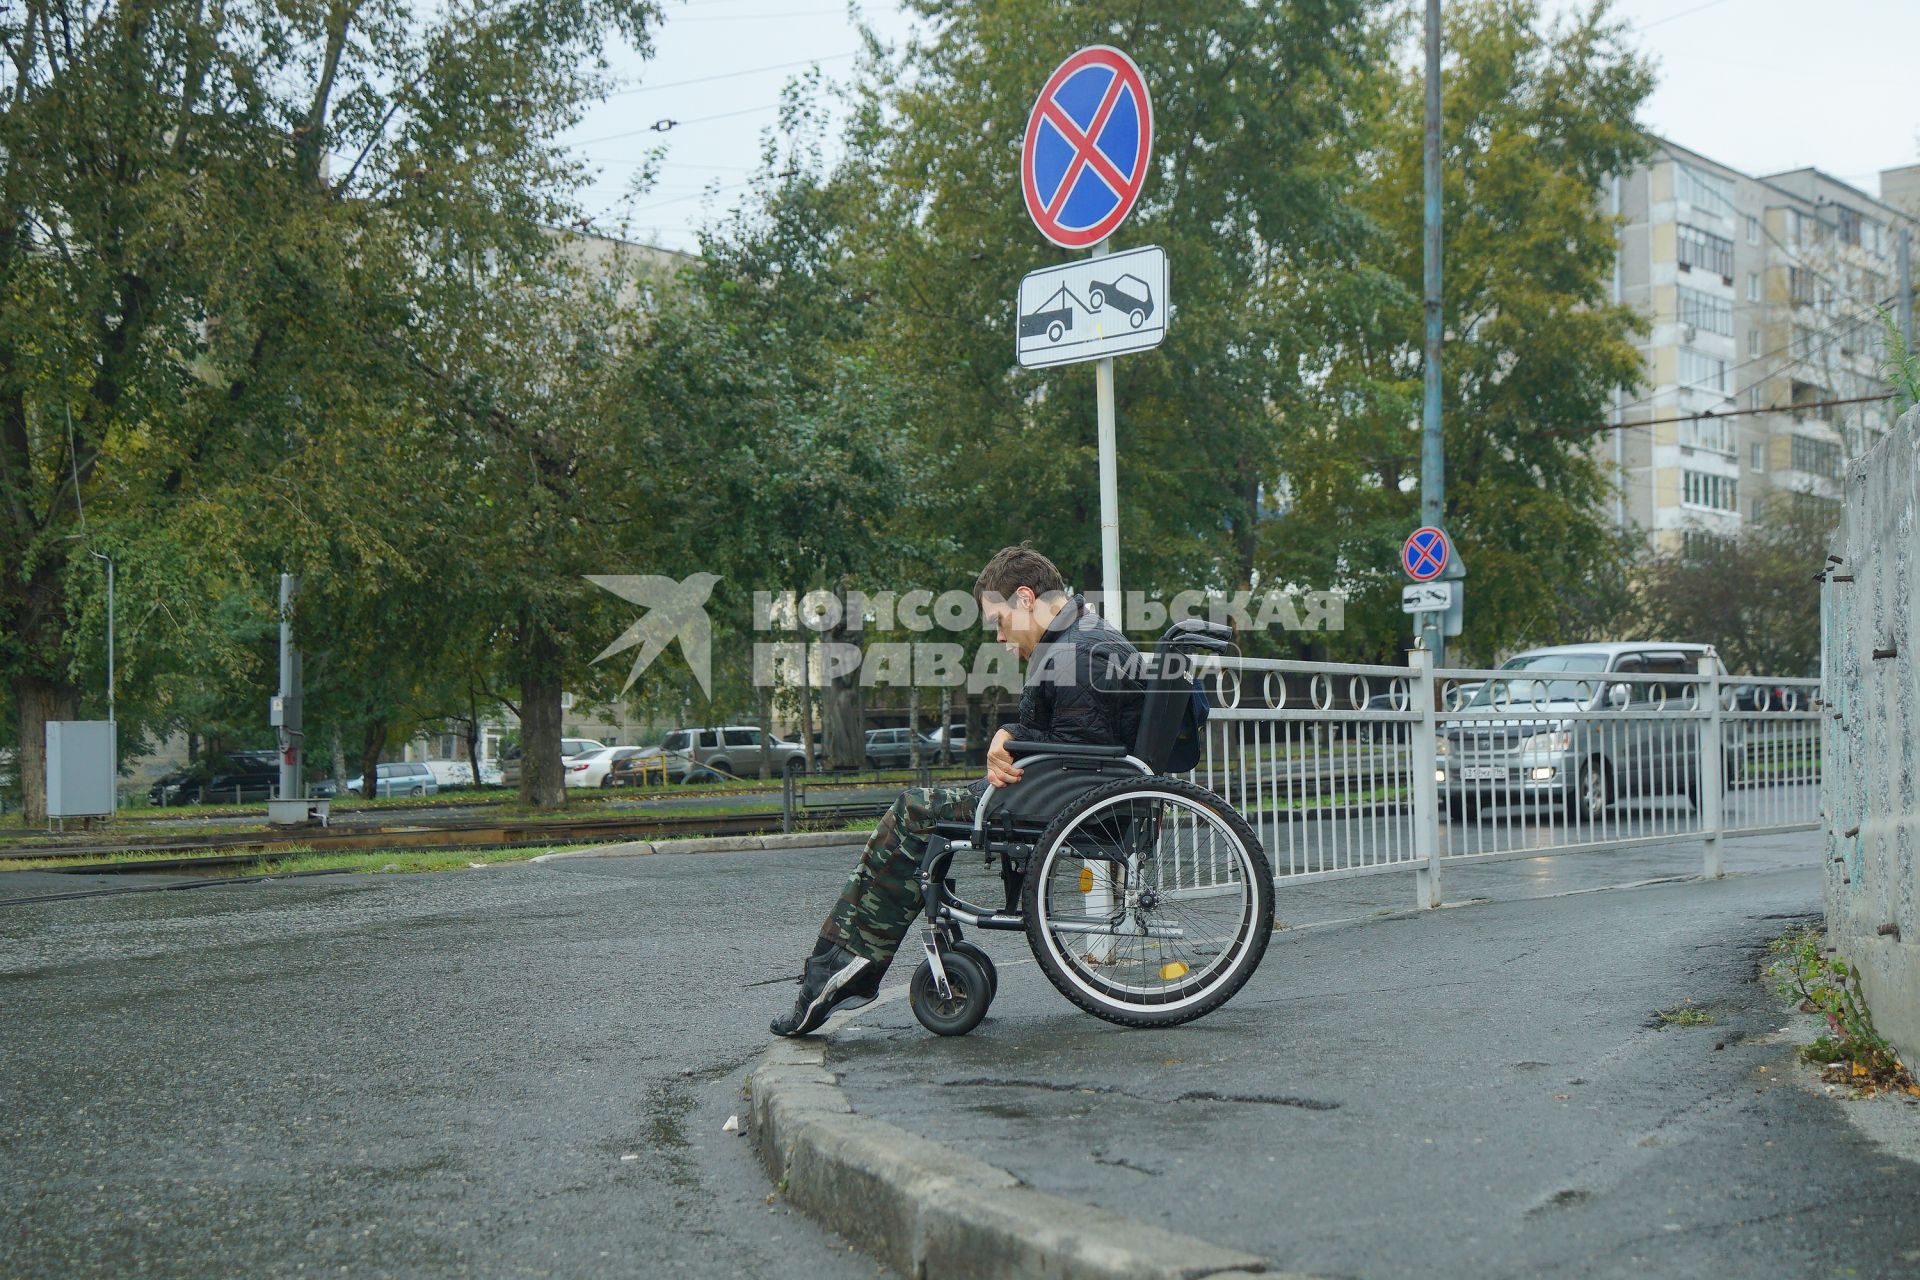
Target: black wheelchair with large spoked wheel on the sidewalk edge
1145,899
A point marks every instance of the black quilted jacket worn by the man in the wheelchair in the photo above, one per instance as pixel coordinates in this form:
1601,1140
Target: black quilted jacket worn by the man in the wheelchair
1084,684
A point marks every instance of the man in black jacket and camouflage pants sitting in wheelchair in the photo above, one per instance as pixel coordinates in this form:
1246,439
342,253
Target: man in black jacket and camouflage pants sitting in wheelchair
1082,688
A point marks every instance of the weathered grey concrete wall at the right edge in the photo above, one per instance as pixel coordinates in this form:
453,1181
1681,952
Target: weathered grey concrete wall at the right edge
1871,738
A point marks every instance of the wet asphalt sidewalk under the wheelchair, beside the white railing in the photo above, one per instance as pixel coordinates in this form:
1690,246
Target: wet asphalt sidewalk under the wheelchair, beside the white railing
1466,1093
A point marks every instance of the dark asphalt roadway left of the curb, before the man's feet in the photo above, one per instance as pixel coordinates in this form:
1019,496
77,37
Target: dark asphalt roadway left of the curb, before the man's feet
427,1076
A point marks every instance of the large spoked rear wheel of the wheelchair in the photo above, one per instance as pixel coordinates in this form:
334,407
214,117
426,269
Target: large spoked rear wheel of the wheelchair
1149,903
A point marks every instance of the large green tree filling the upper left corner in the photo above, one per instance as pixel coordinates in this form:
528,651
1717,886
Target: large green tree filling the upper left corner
228,235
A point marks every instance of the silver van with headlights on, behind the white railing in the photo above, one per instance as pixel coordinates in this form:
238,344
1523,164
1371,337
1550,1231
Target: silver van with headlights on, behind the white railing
1524,753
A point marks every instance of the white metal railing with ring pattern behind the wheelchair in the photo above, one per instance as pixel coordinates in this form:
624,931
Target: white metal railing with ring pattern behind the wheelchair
1356,770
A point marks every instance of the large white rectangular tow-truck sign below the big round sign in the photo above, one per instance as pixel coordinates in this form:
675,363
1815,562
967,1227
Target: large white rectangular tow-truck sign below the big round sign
1093,308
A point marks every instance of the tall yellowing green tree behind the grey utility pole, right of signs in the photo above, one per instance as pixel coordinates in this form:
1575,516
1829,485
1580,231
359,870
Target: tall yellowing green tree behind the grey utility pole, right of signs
1533,128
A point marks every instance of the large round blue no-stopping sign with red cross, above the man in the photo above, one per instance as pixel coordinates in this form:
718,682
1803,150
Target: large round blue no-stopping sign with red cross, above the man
1088,143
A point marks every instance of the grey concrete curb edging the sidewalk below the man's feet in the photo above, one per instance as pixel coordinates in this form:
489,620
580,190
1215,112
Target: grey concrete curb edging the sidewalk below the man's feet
930,1212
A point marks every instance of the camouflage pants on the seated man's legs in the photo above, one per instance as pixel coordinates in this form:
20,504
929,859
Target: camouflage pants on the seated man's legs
882,895
